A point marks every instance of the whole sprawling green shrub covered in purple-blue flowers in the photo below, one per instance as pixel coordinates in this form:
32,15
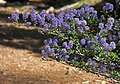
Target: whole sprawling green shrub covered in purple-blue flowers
80,36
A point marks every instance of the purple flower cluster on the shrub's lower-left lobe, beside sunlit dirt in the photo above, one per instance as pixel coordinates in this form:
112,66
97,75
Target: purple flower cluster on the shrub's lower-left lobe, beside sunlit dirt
54,49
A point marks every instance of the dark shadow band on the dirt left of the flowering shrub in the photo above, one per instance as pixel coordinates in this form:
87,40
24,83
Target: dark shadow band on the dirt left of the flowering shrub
19,37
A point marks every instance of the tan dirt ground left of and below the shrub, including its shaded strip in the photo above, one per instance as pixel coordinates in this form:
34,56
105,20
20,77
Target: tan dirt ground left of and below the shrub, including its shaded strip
21,62
